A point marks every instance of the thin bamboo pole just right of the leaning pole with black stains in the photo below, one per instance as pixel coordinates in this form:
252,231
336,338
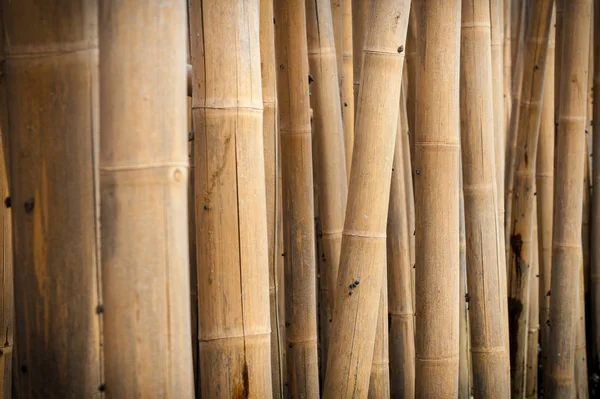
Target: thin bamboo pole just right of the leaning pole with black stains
544,188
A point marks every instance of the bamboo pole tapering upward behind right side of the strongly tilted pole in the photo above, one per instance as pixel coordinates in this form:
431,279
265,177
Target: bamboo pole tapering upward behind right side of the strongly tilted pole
399,268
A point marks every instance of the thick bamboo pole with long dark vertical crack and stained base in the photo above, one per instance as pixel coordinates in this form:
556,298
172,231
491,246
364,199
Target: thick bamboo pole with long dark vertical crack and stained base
232,236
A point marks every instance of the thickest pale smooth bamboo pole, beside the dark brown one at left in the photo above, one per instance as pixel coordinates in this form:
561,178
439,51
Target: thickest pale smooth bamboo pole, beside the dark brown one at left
144,182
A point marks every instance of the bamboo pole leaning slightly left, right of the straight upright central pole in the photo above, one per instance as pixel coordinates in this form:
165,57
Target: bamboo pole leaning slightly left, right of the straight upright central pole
483,231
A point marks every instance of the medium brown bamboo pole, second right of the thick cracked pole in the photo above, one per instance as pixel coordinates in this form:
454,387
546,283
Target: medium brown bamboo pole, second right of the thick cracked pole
298,200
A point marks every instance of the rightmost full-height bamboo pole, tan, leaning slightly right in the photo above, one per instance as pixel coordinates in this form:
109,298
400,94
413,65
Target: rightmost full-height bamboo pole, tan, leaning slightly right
566,239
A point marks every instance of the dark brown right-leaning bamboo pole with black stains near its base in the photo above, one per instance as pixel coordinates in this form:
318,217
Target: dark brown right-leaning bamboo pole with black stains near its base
519,262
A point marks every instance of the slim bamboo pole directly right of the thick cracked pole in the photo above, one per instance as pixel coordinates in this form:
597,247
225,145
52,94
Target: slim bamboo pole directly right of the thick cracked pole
272,188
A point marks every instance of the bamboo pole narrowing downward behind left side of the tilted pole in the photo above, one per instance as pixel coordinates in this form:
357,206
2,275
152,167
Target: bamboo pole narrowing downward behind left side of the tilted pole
328,131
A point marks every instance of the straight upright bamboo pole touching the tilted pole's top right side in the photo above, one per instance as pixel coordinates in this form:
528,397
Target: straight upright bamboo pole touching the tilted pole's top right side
437,198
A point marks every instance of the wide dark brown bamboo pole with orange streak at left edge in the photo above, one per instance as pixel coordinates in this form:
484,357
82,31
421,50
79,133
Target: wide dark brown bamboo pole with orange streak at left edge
51,75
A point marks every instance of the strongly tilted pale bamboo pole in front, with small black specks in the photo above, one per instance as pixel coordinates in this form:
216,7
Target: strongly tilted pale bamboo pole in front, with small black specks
363,243
